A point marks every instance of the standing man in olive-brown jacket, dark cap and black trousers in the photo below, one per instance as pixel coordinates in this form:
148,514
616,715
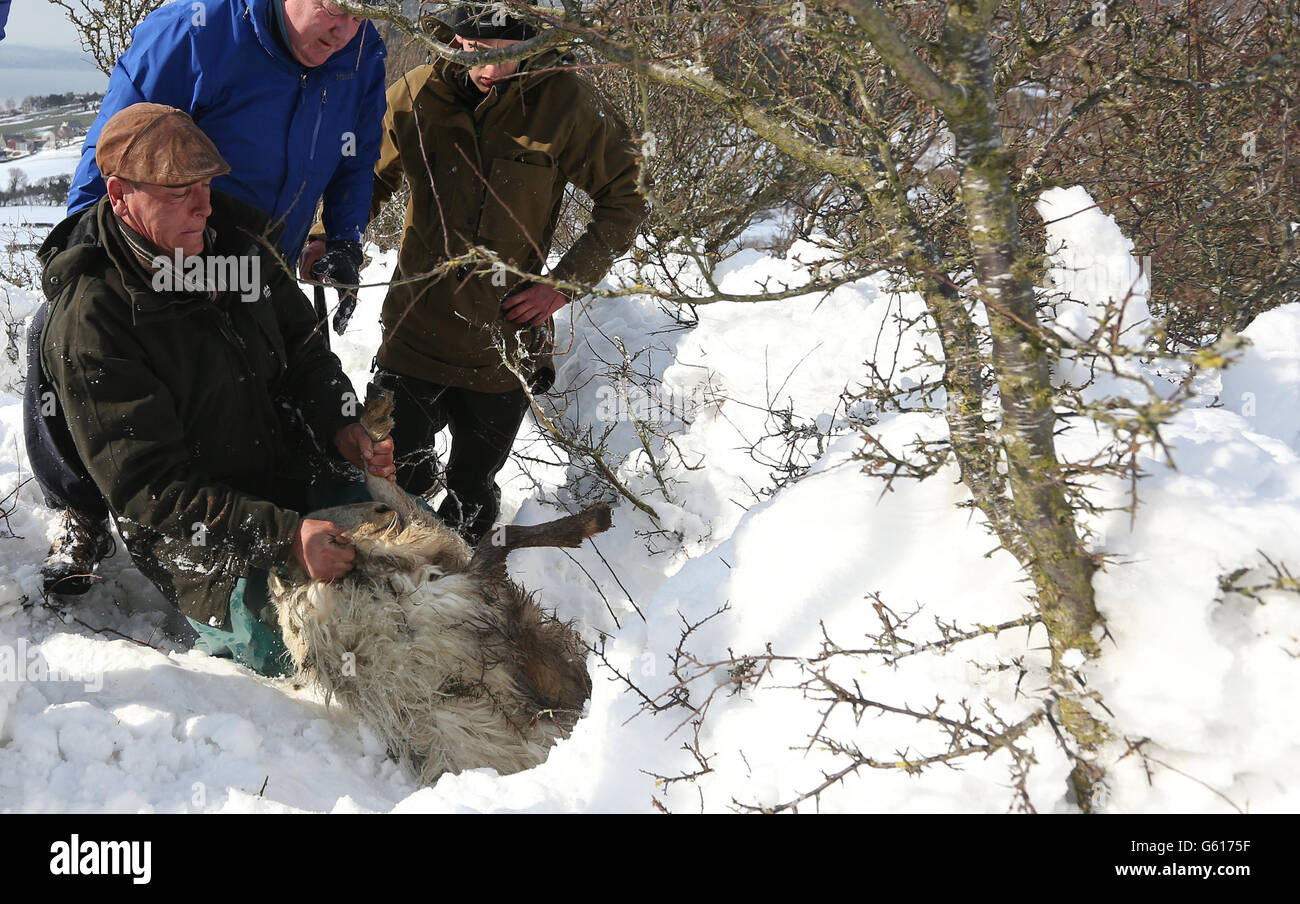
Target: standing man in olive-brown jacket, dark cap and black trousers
488,154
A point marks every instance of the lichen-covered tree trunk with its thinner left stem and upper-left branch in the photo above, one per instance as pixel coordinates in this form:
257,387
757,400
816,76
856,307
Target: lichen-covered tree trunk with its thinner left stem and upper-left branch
1029,509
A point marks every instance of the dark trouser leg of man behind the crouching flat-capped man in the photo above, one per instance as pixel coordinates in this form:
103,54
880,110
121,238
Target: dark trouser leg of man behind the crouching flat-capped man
54,459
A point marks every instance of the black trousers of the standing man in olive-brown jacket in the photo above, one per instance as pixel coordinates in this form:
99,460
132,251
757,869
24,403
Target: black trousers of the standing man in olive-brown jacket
483,430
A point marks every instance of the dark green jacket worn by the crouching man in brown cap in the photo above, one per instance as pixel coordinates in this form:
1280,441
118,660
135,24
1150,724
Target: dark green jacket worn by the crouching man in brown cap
183,405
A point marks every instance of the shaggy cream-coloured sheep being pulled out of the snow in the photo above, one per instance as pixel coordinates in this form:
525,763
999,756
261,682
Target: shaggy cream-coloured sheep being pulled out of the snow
450,663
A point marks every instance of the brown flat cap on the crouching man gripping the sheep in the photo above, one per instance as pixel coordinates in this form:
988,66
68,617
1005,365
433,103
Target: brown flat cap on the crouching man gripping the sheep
158,145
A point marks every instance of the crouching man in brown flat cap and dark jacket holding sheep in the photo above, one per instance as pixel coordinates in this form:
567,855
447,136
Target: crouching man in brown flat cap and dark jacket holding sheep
177,384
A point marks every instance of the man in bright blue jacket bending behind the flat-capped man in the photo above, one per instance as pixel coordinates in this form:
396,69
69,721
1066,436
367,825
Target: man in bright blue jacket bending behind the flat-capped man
292,93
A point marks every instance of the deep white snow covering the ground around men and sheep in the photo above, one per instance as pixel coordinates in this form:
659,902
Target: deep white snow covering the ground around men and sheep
1208,678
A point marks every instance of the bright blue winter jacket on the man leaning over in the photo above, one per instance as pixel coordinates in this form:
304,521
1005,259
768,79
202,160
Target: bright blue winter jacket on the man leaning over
291,135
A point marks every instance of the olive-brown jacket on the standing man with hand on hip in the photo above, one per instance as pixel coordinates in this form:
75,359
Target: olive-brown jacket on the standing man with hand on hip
495,176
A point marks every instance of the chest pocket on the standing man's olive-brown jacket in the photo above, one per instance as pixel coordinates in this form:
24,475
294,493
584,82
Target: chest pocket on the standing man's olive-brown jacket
517,209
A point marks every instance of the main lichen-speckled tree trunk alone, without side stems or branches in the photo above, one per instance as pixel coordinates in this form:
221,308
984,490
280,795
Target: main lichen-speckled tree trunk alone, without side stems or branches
1058,561
